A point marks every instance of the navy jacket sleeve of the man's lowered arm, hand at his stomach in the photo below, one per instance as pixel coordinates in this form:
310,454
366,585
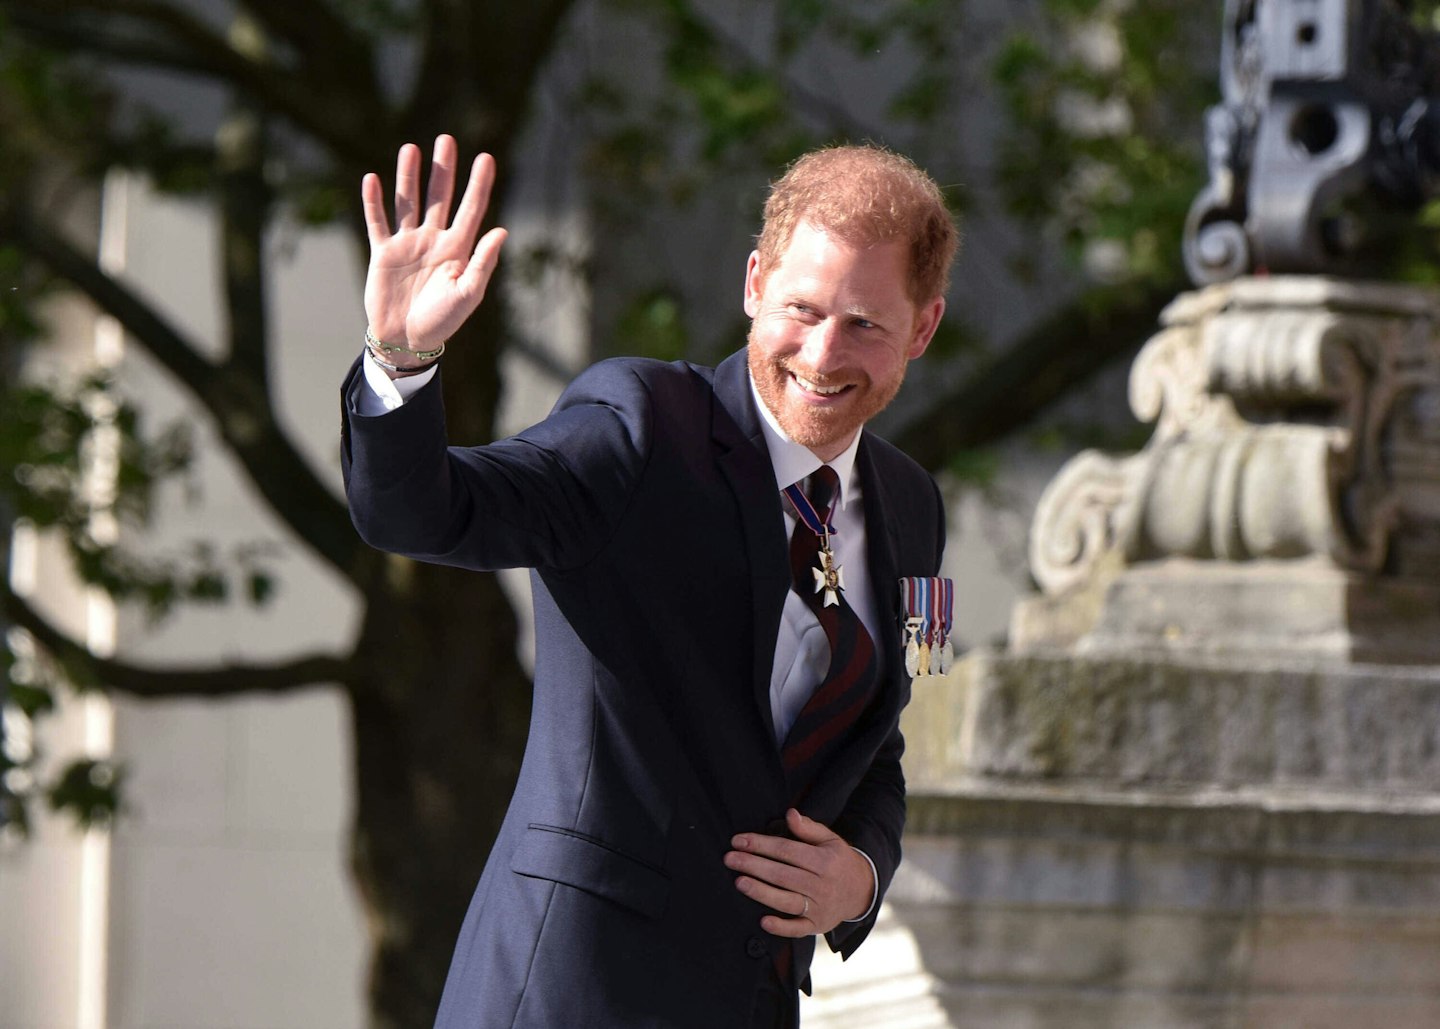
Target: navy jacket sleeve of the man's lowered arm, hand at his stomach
875,817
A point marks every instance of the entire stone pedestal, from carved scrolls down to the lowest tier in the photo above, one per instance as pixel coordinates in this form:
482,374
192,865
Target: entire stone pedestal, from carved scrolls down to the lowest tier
1202,788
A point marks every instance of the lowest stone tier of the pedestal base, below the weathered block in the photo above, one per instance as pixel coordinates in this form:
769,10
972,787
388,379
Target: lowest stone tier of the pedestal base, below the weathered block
1056,907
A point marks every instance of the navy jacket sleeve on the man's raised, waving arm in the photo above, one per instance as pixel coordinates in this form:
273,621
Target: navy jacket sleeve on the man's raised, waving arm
548,497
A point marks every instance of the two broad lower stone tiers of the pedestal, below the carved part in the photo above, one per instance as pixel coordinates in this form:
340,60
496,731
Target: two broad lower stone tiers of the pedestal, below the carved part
1101,844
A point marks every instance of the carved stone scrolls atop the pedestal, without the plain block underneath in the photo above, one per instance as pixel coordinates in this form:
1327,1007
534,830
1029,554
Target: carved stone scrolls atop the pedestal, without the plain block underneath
1297,422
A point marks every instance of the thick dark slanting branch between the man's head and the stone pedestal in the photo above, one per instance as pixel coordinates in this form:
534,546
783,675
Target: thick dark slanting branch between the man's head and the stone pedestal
1043,366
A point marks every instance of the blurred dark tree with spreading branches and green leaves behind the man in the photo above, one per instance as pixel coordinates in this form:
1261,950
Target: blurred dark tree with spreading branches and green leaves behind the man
1097,155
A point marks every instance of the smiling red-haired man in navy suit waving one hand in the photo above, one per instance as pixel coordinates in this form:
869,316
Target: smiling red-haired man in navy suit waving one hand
714,771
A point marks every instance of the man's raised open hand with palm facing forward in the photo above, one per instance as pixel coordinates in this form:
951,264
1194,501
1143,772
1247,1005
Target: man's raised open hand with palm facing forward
428,277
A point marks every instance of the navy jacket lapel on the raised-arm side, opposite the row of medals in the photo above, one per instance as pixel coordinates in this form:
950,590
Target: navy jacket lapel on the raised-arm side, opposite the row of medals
745,461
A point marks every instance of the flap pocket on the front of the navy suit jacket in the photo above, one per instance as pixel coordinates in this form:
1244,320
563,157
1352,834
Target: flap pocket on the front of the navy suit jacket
562,856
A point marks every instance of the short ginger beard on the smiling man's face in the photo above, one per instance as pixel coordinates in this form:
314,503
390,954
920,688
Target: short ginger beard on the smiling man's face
819,427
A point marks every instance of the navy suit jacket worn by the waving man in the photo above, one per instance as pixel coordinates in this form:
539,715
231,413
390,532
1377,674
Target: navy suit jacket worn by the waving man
647,507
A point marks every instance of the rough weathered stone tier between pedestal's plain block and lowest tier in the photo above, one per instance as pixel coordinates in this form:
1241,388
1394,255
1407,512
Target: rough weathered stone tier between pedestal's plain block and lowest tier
1206,725
